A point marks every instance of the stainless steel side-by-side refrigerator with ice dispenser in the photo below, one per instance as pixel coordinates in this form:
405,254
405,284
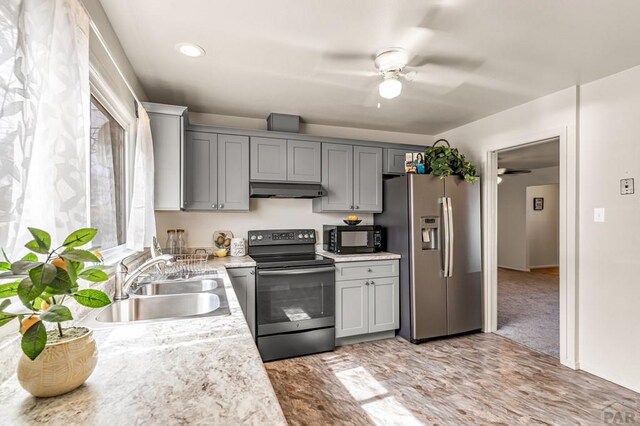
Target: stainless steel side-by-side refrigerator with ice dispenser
434,224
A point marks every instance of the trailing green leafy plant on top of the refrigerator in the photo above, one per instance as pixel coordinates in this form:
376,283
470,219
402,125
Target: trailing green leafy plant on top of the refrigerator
445,161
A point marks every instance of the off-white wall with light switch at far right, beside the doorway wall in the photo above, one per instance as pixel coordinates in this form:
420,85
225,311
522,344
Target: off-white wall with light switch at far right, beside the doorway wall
610,251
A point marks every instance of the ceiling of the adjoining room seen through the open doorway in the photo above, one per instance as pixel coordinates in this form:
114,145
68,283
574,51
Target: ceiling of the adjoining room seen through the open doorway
533,156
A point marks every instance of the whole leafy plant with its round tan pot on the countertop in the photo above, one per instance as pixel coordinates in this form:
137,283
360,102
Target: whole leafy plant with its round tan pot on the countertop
55,360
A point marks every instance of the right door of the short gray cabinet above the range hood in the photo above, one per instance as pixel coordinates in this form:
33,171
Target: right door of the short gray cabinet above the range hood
303,161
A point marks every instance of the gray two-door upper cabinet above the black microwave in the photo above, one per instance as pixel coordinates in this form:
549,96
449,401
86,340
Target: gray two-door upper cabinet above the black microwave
352,176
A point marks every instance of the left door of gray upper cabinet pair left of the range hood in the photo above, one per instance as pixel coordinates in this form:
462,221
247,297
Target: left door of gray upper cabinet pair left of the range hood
201,171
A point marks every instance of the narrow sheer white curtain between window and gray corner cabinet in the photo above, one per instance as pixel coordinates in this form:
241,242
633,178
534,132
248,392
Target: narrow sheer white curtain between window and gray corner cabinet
142,220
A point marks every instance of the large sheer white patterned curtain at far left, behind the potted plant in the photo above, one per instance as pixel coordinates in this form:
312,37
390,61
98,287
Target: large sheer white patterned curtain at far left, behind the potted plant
44,119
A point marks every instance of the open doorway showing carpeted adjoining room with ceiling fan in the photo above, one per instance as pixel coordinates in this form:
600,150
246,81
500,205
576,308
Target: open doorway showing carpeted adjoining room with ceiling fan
528,245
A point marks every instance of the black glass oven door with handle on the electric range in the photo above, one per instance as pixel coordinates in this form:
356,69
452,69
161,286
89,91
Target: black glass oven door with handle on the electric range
295,299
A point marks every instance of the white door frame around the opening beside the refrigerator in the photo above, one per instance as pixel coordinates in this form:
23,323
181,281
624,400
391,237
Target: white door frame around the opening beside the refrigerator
568,237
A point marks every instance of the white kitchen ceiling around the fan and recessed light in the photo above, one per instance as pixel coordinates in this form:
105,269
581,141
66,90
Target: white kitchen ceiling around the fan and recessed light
296,57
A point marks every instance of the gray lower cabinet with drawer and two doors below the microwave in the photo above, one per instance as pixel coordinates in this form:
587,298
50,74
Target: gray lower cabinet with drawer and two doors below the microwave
368,301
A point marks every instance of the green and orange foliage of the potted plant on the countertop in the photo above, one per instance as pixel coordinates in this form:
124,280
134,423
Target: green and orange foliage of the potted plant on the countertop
43,285
